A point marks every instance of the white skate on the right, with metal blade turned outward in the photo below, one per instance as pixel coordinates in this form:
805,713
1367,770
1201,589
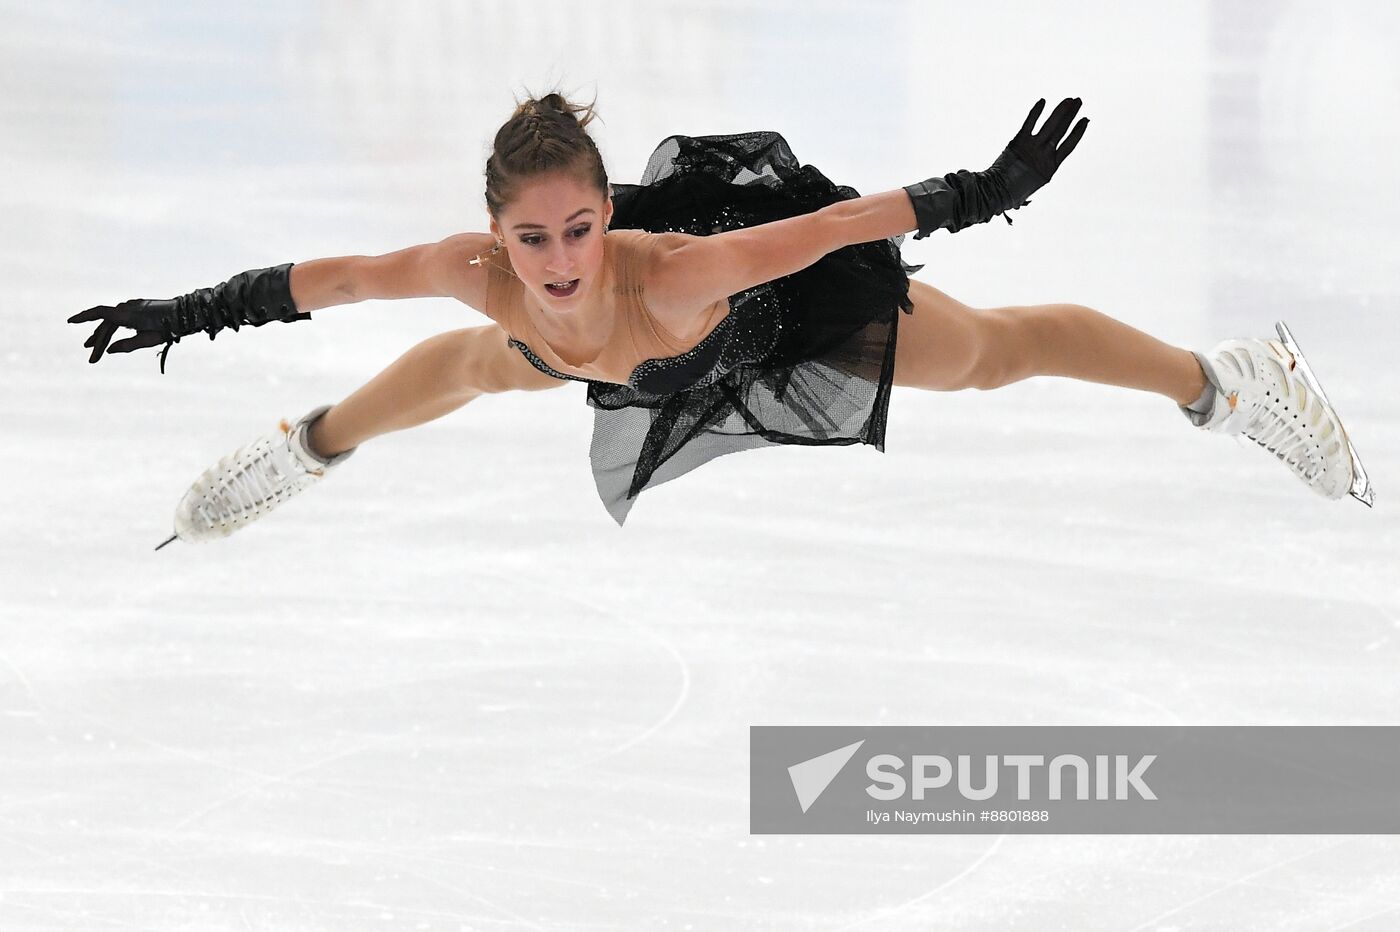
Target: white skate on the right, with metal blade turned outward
1265,390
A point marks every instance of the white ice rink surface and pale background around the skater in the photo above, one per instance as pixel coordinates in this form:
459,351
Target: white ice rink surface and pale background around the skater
446,692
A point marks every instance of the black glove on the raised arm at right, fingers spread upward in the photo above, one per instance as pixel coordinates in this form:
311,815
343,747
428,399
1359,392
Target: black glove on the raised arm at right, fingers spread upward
1028,163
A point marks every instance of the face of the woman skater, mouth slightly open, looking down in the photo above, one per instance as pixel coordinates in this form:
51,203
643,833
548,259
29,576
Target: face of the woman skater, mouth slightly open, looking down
554,232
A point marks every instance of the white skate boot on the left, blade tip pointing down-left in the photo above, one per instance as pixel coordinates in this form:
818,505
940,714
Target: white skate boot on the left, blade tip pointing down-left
251,482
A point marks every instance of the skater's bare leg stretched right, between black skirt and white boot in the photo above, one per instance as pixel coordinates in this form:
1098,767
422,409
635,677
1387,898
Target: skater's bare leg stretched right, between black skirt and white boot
948,346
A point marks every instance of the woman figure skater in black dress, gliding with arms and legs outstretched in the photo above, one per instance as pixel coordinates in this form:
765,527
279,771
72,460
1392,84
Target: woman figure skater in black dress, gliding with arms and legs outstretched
731,300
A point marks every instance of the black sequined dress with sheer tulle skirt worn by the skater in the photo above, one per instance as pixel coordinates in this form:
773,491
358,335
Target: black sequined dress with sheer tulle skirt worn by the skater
811,358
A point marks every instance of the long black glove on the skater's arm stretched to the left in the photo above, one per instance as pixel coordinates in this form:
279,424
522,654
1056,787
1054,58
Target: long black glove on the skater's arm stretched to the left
255,297
